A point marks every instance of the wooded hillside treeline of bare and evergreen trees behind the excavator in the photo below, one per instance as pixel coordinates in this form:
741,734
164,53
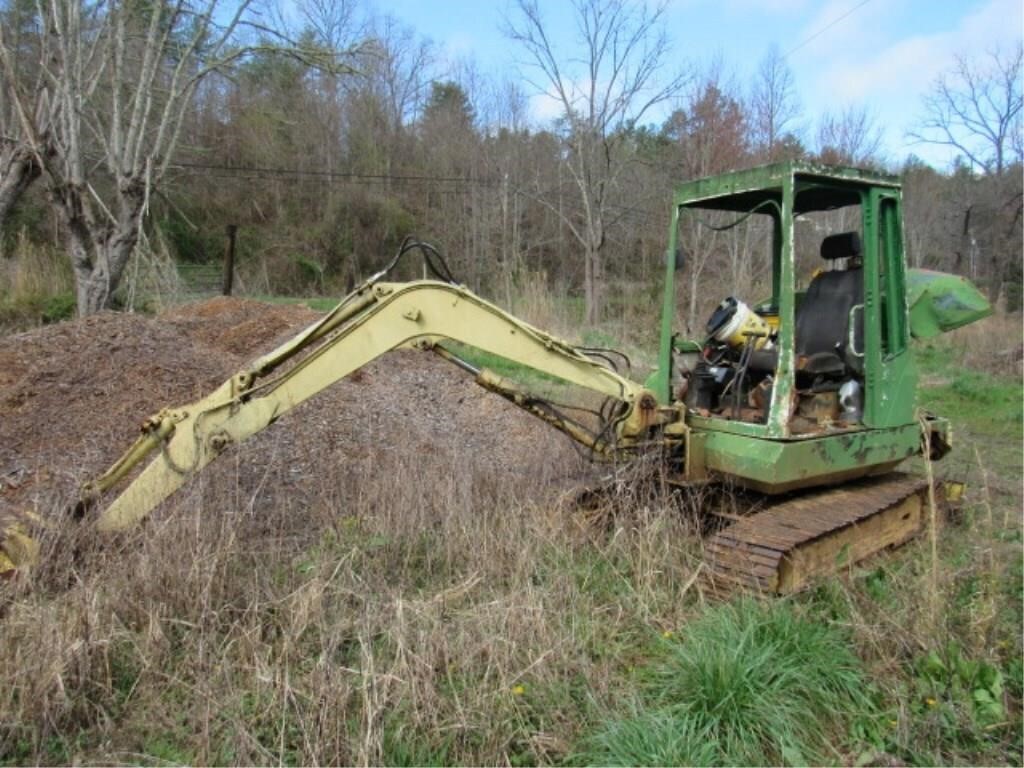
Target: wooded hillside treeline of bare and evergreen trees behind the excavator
329,137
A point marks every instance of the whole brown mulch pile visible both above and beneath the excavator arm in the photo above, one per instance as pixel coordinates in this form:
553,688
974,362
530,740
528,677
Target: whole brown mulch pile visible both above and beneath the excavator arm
73,397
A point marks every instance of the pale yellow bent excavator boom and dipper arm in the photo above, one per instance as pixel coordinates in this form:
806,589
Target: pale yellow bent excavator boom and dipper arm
375,319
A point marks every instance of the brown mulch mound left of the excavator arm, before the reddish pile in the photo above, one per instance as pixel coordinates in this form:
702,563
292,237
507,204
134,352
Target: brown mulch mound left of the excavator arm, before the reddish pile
73,397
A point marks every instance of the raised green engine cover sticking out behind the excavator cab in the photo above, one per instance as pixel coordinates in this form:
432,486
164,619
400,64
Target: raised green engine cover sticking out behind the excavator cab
942,303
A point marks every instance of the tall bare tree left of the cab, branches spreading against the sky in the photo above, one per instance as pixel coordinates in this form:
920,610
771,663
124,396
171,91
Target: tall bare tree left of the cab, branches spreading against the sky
611,87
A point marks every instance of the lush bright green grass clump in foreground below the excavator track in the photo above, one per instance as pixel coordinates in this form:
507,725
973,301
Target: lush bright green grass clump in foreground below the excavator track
748,684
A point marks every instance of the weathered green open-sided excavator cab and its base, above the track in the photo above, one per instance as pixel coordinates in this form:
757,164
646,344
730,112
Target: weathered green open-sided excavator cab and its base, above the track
816,383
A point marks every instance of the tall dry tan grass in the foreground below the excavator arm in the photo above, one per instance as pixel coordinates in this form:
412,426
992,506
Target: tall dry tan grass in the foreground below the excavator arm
397,619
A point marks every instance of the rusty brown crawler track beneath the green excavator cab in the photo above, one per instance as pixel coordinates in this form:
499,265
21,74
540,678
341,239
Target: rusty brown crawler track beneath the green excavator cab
786,547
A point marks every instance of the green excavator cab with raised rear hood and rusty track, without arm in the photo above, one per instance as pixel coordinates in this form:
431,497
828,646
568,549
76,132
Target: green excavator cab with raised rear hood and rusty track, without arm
816,386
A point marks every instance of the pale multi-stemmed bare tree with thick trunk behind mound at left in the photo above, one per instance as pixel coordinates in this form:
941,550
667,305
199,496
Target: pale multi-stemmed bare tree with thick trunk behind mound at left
122,75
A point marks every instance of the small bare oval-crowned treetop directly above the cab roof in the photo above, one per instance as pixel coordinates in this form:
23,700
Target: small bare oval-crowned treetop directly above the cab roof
775,108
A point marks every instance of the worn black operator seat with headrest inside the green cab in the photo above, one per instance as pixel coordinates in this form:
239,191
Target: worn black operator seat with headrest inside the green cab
823,333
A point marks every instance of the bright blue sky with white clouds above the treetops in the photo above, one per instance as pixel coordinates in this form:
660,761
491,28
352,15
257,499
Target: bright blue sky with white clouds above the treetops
884,56
